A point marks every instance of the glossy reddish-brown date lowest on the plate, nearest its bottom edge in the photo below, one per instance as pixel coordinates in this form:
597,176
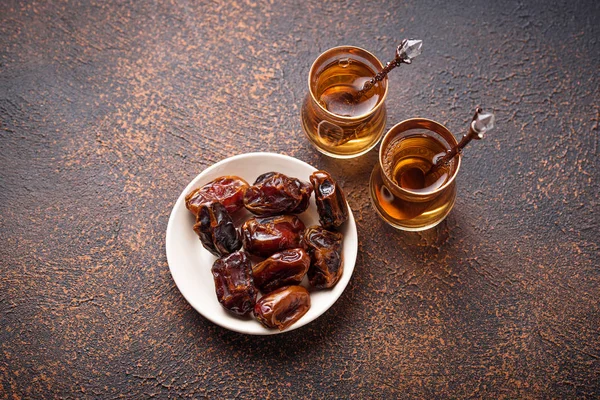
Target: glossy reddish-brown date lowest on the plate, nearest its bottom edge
283,307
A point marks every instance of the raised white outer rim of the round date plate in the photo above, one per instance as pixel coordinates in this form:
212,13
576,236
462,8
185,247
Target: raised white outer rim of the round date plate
171,227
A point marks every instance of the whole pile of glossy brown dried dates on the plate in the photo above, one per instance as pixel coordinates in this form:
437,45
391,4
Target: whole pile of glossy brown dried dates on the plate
285,248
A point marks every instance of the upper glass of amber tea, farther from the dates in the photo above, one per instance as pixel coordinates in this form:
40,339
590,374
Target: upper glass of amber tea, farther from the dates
338,122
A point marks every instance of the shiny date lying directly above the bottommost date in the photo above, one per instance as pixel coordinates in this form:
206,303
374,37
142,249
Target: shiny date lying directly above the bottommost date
281,269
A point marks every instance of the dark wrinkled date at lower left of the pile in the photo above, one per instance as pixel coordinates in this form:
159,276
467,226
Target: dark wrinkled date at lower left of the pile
233,283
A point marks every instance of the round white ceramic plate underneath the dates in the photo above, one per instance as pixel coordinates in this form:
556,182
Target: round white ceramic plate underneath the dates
190,263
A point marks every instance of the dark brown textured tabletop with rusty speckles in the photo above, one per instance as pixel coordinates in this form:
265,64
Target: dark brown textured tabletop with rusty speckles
107,111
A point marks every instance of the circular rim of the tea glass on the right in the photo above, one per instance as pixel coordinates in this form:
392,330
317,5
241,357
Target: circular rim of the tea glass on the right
418,123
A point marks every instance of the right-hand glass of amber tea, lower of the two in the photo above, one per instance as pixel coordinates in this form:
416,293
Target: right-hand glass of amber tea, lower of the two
404,190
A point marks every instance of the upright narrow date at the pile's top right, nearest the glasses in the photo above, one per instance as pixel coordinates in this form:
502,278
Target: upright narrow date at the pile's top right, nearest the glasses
330,200
